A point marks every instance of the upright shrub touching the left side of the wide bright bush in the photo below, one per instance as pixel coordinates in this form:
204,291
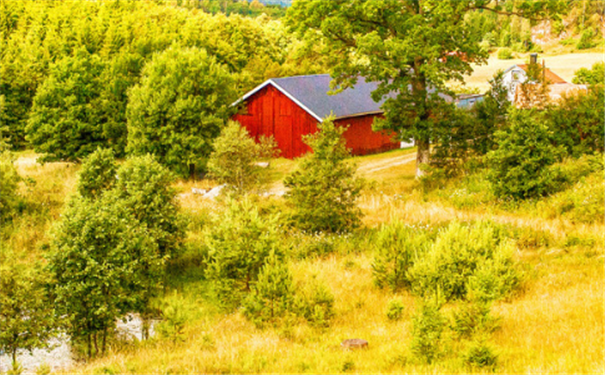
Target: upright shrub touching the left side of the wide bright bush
398,246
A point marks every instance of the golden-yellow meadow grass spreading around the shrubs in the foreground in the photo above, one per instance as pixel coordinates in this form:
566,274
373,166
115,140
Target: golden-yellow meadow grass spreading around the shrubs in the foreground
554,324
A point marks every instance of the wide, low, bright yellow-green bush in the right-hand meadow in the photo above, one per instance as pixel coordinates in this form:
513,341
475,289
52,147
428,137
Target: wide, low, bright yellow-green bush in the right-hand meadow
461,261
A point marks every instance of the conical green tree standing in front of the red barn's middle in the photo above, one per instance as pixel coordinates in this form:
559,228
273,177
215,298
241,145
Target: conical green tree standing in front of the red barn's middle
323,189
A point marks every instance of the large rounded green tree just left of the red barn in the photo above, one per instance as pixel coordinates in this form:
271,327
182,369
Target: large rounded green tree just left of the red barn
179,107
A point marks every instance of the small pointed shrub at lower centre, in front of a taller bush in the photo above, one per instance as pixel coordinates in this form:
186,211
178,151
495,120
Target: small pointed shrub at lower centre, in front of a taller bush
272,295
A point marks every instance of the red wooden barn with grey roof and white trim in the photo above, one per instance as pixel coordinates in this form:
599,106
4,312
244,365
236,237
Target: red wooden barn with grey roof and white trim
288,108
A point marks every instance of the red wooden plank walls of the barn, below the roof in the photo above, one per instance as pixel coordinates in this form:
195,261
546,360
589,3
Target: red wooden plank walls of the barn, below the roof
269,112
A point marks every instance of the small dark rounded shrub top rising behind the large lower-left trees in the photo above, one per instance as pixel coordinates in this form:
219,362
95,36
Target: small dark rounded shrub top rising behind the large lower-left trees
98,173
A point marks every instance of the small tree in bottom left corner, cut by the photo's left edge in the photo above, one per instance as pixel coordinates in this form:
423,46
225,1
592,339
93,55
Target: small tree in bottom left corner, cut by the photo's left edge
26,318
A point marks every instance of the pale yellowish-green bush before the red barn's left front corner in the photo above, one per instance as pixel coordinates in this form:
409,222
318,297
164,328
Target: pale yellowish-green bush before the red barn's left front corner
234,159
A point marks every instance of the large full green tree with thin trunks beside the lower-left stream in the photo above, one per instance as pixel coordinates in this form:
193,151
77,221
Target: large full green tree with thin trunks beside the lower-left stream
100,260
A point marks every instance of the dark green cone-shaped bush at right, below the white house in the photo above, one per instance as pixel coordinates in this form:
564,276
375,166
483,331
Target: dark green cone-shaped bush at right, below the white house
521,166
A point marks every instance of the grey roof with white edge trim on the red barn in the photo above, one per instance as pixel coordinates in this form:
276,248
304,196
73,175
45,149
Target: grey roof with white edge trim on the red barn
311,94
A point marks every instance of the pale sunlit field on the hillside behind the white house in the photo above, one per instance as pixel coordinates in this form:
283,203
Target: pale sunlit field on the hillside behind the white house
562,65
